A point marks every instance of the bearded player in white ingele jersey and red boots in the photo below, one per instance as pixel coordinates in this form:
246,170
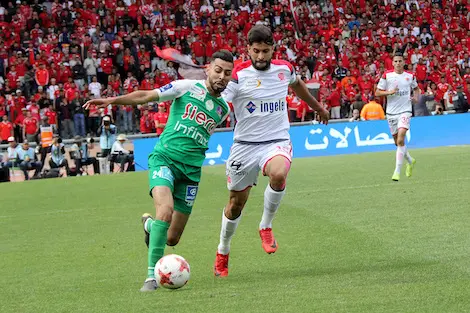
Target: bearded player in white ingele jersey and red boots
258,93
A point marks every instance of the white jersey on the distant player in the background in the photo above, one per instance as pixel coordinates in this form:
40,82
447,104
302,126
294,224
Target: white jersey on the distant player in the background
400,102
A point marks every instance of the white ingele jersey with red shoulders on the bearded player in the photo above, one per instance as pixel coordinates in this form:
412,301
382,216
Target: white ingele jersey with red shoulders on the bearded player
259,101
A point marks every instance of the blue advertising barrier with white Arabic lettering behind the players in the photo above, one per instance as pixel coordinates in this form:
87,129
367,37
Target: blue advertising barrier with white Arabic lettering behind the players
341,138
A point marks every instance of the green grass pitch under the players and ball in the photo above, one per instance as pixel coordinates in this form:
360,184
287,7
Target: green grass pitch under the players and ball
350,240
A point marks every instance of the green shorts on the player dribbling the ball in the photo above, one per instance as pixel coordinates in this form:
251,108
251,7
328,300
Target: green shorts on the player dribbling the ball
182,179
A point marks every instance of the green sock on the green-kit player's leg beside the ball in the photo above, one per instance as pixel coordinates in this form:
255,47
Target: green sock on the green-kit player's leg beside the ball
158,236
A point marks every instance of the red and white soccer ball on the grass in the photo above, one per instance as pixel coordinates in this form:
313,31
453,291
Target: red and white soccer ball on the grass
172,271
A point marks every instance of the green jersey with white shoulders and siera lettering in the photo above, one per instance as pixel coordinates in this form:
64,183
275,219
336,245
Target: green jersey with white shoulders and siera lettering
194,115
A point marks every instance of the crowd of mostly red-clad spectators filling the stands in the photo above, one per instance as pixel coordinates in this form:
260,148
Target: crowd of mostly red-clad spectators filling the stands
54,56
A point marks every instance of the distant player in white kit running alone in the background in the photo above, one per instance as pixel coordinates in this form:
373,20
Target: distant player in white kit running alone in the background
396,85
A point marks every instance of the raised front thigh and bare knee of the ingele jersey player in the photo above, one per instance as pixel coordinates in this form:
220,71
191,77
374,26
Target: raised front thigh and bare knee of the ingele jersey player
276,159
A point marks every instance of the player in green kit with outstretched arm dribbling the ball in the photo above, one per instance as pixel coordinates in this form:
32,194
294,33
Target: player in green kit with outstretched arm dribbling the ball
176,161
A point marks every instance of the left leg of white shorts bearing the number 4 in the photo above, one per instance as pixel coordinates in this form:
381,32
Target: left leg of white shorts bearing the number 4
242,167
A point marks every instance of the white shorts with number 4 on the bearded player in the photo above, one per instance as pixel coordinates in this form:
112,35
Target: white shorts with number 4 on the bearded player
246,160
